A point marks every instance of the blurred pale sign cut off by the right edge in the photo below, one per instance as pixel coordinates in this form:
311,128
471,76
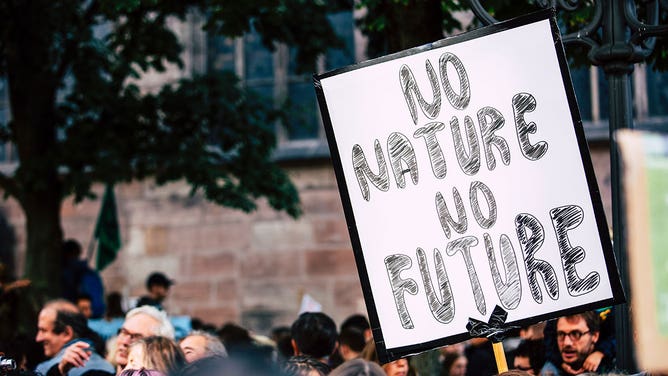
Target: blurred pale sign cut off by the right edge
645,157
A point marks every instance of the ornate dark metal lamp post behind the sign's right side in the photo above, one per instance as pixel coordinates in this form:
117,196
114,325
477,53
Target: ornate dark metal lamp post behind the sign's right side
617,39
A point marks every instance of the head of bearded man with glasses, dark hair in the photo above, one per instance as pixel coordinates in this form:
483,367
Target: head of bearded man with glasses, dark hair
576,337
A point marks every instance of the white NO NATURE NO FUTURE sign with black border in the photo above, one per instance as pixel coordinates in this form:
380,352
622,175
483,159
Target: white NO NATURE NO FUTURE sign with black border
467,183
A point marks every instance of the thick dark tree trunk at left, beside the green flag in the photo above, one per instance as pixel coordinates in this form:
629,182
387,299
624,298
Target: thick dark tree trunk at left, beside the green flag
33,82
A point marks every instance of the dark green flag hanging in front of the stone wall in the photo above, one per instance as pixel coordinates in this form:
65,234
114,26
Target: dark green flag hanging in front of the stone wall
107,231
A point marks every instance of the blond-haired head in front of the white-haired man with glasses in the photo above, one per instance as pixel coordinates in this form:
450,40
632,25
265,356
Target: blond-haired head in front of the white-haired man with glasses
157,353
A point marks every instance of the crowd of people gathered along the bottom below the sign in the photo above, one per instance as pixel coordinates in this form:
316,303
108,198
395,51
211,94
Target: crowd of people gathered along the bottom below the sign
146,344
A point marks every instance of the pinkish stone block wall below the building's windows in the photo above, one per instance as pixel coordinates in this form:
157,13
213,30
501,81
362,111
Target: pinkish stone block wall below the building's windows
231,266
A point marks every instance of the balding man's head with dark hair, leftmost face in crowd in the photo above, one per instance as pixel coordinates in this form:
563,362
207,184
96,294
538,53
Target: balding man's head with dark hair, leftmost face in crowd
57,324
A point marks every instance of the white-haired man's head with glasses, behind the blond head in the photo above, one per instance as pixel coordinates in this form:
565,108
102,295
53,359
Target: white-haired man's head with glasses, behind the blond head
141,322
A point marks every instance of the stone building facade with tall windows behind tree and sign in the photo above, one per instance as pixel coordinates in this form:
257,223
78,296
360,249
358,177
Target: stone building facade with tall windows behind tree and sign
253,268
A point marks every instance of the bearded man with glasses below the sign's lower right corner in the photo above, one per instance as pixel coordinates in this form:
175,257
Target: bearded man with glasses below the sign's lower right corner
577,336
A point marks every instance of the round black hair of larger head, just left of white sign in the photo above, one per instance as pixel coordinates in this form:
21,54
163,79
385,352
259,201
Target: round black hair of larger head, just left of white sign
315,334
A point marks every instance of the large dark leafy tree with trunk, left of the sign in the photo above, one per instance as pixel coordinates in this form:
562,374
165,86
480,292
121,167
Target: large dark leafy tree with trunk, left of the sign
78,119
